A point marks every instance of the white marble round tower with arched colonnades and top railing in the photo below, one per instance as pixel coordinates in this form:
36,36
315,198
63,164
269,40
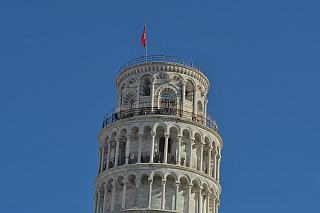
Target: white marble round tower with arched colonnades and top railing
160,150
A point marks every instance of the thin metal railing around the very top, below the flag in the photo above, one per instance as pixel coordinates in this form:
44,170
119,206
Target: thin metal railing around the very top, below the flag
164,58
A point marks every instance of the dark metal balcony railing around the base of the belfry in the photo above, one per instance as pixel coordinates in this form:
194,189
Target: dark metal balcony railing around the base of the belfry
112,117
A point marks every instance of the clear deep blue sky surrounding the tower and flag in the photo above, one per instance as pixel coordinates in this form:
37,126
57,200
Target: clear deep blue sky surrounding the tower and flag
59,61
